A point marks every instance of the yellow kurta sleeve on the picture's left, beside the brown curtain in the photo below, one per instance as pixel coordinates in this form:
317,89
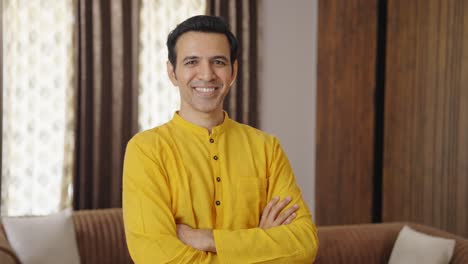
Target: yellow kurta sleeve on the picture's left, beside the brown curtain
150,226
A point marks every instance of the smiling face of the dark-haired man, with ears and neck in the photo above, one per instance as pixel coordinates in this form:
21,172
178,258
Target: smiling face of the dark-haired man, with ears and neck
203,72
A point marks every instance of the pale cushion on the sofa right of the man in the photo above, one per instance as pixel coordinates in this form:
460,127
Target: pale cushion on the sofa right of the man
415,247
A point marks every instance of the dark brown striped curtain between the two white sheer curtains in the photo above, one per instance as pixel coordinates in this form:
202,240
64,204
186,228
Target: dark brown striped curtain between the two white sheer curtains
106,99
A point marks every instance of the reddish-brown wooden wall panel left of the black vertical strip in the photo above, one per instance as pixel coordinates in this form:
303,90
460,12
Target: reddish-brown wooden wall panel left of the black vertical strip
345,111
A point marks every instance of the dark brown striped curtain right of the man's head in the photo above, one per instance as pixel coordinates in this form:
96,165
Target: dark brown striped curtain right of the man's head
241,102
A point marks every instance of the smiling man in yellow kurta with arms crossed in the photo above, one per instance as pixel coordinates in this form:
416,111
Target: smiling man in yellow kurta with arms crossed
203,188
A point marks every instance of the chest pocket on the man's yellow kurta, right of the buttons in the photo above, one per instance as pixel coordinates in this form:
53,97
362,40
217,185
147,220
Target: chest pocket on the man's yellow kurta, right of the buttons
251,194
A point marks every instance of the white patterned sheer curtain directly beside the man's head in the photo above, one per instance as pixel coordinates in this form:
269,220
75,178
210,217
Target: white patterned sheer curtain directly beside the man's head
158,98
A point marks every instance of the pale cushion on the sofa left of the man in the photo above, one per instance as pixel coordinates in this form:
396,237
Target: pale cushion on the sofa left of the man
43,239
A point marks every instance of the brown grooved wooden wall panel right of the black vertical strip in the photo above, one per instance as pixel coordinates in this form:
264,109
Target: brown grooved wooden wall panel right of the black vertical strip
425,168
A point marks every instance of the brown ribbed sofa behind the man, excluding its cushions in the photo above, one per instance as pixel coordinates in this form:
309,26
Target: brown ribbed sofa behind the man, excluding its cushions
101,240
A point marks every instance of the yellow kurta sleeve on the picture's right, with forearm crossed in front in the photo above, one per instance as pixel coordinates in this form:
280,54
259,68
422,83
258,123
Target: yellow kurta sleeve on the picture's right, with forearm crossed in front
293,243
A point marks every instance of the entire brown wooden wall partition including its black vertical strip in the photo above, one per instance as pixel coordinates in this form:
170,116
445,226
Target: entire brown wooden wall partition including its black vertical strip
392,106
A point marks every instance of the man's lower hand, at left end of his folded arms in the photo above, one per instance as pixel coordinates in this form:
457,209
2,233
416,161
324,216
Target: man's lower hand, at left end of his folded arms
201,239
